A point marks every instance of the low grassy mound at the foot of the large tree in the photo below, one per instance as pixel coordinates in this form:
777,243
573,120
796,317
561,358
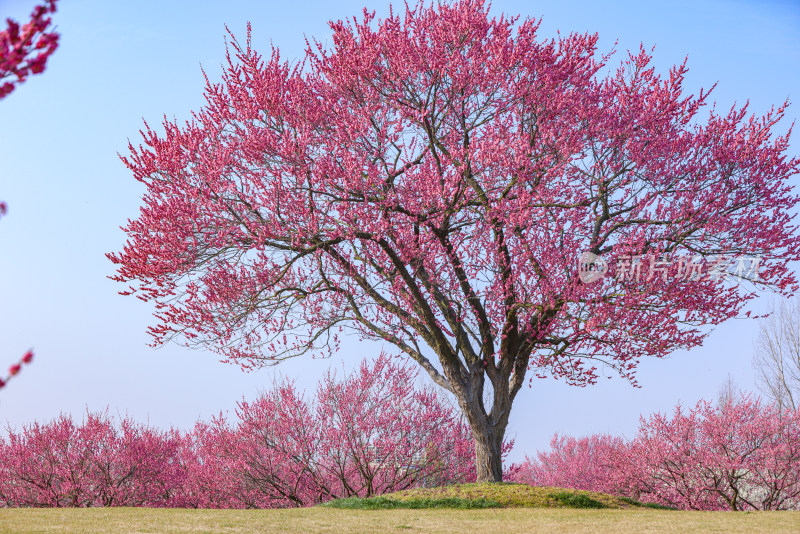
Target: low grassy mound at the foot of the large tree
498,495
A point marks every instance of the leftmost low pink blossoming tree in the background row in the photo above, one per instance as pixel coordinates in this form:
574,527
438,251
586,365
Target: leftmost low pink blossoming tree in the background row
95,463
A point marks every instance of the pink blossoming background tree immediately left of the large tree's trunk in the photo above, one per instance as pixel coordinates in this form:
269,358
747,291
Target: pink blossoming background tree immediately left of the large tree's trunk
384,434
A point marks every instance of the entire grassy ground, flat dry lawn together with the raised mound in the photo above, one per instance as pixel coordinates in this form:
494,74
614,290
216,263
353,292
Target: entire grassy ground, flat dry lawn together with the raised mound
506,508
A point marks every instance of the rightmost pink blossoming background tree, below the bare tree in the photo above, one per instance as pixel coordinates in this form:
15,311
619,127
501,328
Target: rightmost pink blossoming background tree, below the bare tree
740,455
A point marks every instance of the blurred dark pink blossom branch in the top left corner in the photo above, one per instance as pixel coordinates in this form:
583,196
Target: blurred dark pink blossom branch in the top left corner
24,50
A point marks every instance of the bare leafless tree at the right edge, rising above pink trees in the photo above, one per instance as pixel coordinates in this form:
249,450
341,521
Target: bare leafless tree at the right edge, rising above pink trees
777,355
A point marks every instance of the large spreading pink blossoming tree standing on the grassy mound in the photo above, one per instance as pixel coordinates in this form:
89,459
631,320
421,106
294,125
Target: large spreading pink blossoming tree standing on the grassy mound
430,180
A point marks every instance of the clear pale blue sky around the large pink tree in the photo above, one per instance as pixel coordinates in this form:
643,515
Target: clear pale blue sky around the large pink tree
120,62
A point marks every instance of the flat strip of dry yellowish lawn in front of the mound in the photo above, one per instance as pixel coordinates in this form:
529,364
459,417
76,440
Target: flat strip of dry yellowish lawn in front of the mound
508,520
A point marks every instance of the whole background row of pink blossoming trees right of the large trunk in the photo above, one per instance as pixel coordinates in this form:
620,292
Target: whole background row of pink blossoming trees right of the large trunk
740,455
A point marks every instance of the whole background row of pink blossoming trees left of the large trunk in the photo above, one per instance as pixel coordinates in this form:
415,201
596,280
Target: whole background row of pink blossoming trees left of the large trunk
365,434
